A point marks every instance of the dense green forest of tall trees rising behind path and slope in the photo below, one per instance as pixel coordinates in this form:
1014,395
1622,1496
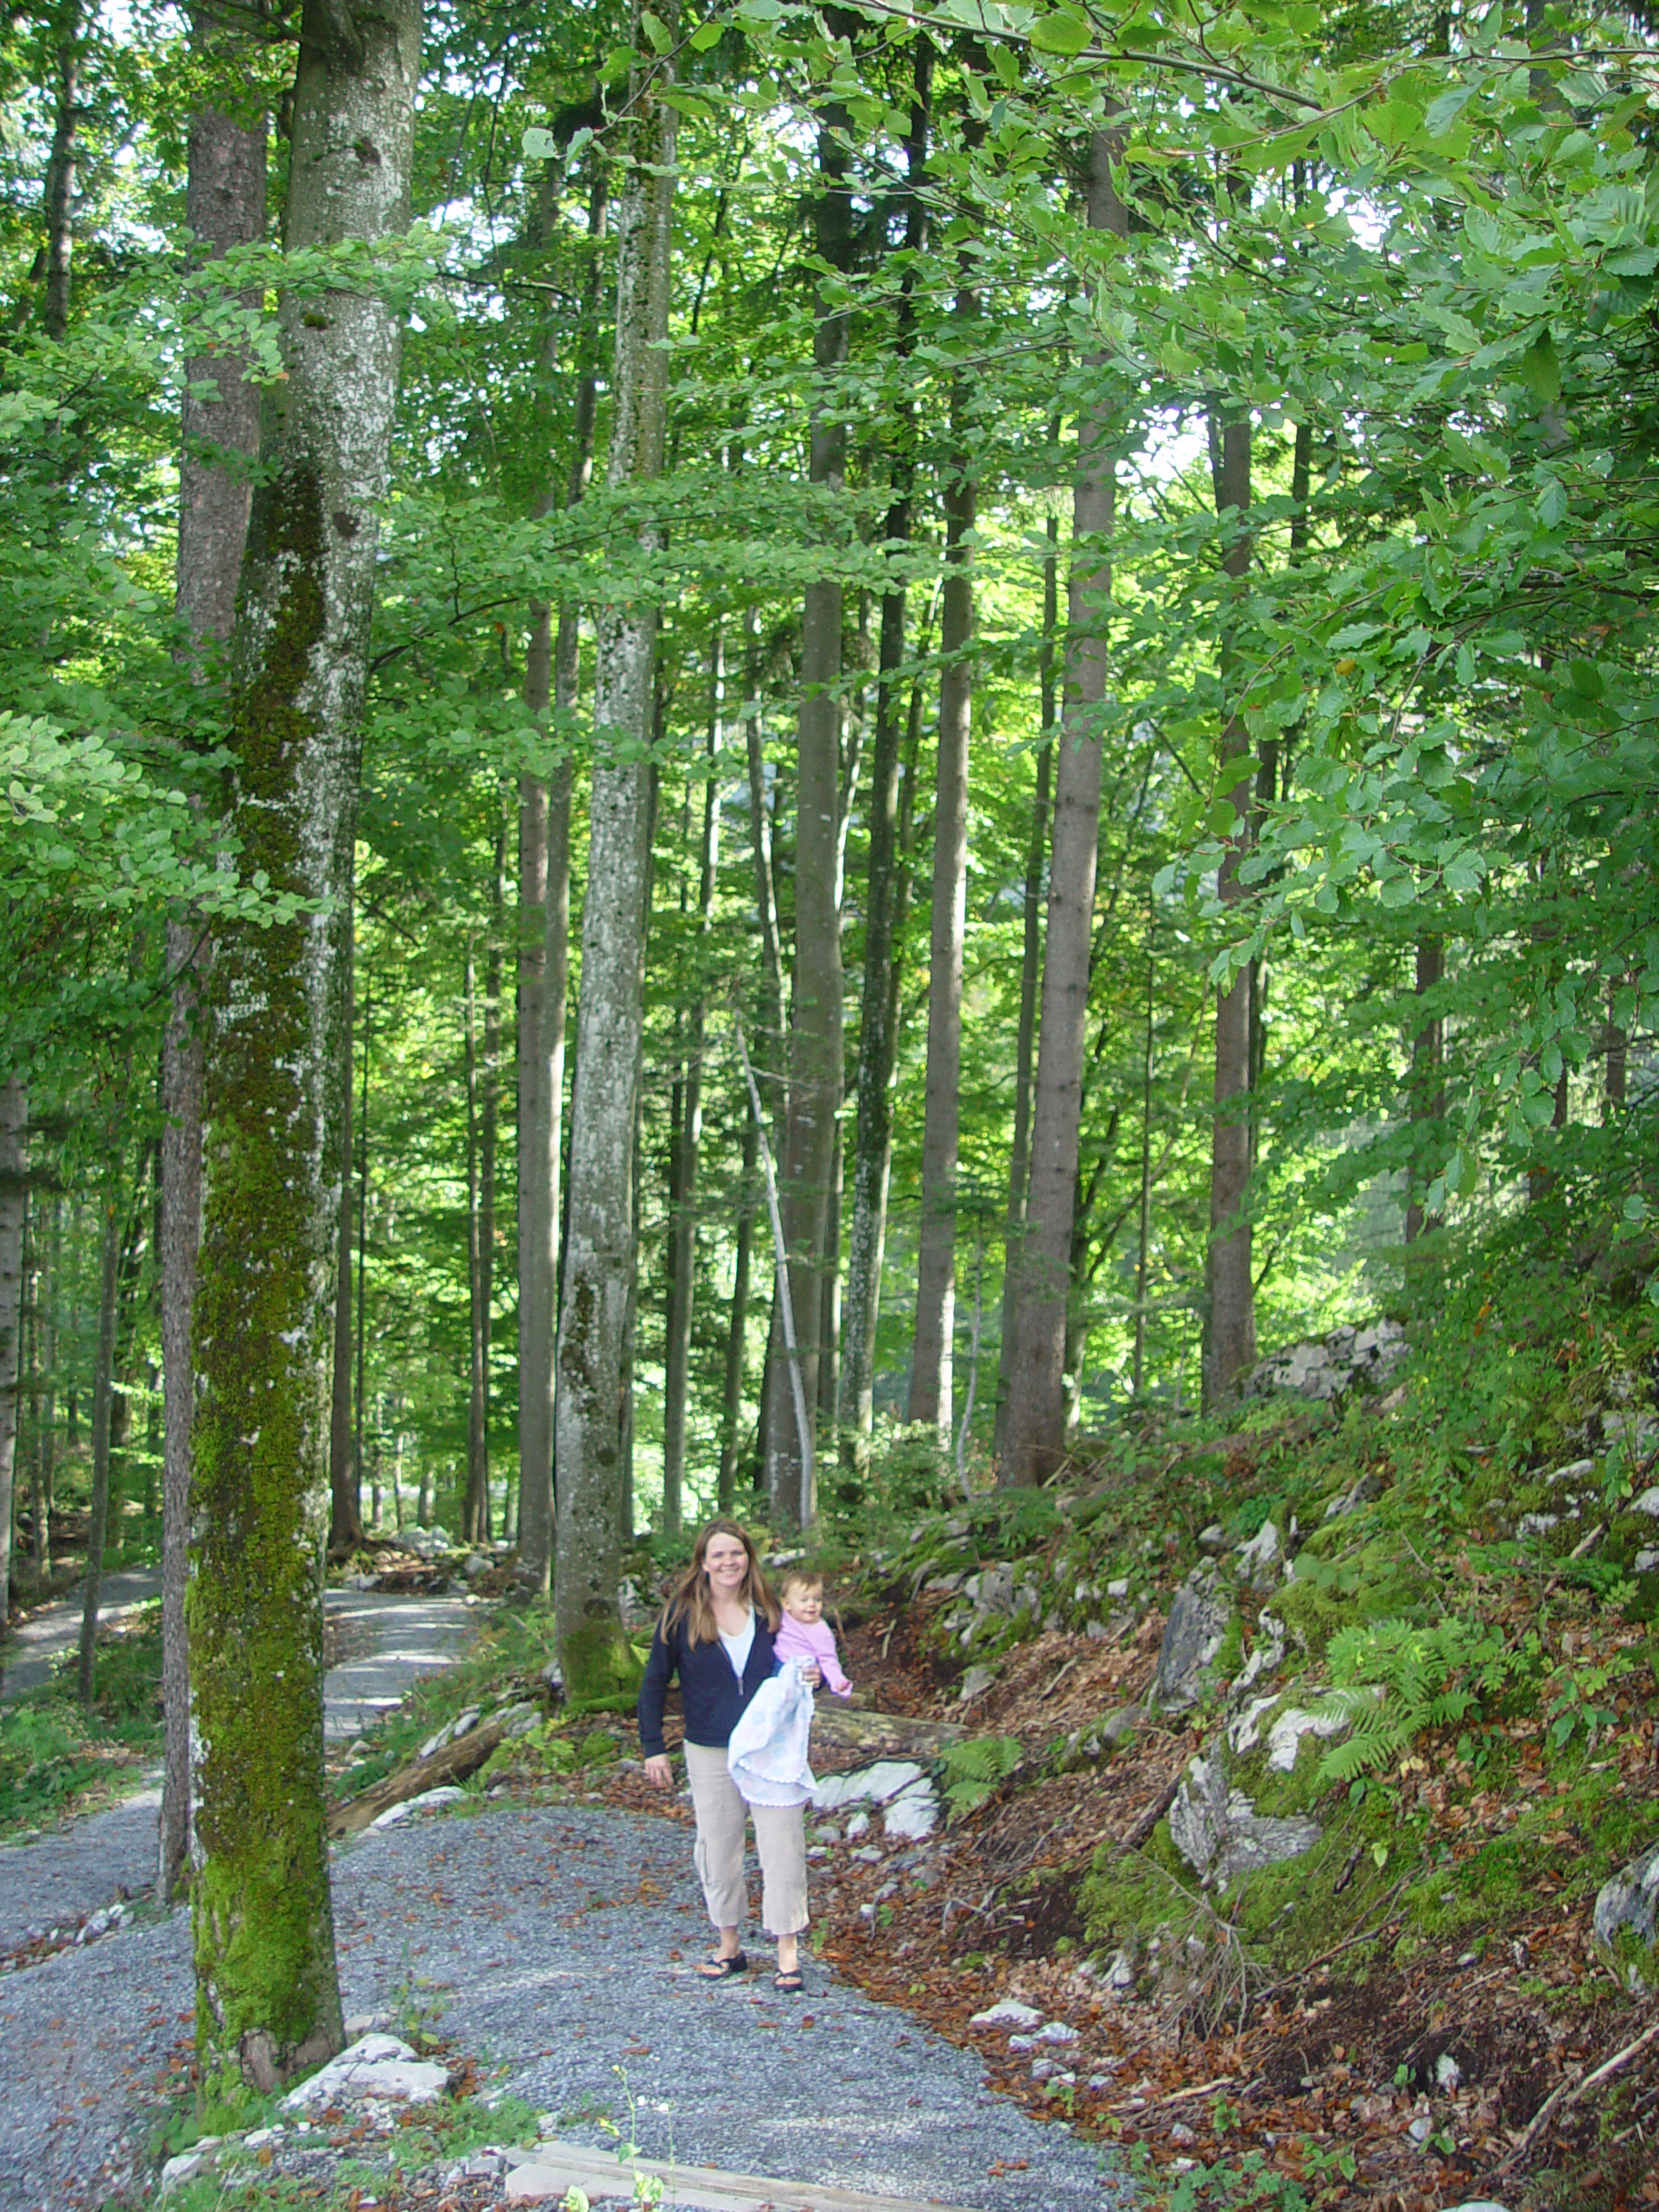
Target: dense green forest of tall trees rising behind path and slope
775,760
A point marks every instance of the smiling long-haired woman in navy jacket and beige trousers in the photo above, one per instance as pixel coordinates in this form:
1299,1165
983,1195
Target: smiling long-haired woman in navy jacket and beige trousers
716,1634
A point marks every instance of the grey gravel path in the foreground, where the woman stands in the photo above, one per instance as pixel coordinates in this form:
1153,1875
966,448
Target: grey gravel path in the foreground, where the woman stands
547,1939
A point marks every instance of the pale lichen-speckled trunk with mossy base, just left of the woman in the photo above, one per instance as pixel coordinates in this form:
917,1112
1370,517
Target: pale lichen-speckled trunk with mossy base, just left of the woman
598,1253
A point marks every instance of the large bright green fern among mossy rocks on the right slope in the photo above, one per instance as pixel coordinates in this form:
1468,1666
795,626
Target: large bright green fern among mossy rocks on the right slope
1399,1678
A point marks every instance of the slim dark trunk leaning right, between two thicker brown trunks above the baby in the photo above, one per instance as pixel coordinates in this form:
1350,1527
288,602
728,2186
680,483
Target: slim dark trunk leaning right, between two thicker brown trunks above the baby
877,1025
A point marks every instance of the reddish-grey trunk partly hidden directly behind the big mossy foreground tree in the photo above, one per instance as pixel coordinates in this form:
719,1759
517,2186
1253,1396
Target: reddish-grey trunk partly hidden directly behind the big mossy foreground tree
225,205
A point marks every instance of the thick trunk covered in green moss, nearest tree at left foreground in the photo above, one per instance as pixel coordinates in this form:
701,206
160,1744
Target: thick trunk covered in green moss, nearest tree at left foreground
264,1937
